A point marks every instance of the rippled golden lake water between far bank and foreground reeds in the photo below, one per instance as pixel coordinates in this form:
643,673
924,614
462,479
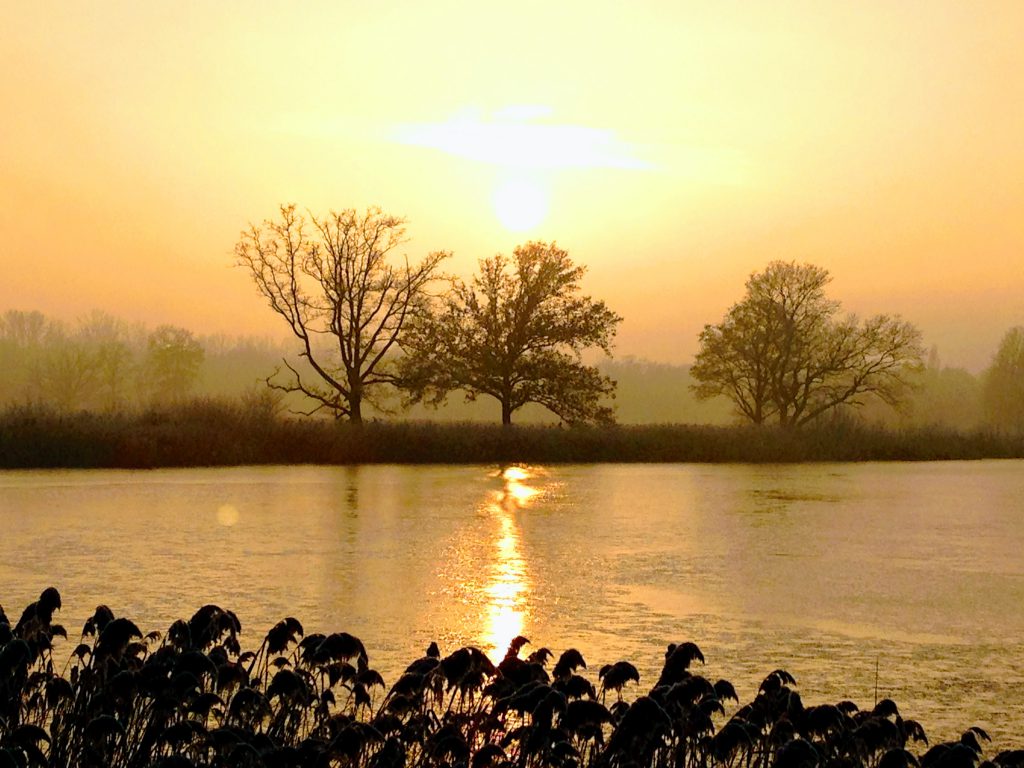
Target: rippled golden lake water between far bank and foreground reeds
864,581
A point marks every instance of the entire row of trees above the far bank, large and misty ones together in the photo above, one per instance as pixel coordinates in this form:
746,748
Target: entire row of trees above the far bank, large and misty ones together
377,336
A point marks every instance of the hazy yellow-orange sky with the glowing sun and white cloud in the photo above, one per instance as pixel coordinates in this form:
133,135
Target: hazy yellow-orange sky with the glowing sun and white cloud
674,148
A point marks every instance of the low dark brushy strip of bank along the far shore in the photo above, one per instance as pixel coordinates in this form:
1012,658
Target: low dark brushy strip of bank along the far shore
218,434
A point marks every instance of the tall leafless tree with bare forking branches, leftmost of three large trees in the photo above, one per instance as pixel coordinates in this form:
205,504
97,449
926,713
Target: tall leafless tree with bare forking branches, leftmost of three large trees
334,283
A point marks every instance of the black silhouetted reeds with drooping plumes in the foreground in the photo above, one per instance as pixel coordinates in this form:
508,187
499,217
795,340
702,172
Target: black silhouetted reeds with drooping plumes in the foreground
193,697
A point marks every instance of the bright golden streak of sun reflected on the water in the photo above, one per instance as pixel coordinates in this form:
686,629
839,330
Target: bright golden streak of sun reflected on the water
508,580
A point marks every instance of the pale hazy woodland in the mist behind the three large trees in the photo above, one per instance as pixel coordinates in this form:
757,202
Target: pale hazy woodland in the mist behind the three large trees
104,365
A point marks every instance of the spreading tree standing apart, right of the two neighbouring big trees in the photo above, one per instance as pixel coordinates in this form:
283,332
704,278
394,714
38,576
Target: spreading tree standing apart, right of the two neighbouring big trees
783,355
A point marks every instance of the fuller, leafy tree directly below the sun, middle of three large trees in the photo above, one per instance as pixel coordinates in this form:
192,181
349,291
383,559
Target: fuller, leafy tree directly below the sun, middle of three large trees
516,333
